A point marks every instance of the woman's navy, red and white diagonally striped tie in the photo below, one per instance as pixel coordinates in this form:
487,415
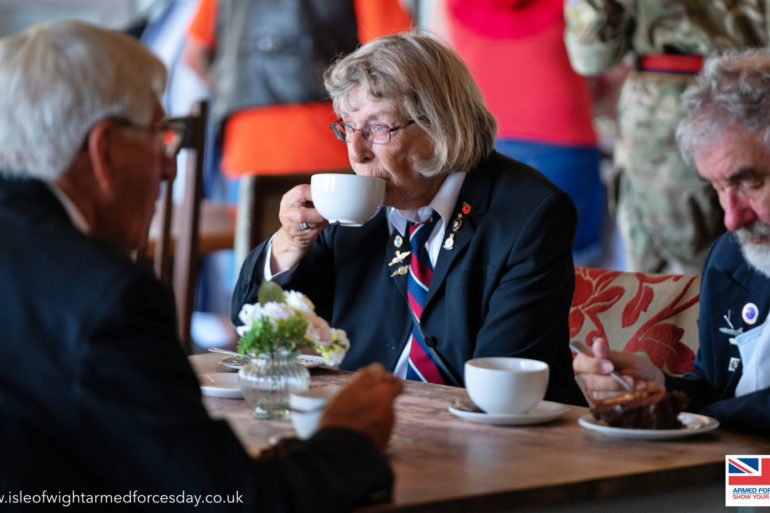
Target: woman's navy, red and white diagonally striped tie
421,366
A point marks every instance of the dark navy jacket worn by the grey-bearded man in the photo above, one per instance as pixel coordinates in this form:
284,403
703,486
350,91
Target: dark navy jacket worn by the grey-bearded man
728,283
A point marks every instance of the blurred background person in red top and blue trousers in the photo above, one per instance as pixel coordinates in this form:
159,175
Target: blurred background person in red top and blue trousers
515,50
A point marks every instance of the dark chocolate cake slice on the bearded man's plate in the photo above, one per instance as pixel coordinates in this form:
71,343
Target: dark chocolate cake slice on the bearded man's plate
642,409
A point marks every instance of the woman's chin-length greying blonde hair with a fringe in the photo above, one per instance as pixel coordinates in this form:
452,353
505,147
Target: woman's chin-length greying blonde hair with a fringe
434,87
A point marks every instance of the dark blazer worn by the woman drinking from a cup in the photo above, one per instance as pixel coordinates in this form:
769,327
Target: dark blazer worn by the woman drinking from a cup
504,289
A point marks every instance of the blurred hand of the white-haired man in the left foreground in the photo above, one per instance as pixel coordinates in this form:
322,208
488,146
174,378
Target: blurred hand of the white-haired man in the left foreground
366,404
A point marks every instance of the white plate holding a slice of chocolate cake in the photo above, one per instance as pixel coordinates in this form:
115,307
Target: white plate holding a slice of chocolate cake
649,414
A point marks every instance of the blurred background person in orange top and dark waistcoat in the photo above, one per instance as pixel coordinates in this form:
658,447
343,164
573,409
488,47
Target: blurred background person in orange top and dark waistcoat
263,62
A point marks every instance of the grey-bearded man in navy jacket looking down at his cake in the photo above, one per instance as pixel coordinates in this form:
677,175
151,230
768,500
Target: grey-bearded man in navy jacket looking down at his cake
727,134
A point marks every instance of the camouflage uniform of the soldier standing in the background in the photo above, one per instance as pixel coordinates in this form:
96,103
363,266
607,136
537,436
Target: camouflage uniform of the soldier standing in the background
667,216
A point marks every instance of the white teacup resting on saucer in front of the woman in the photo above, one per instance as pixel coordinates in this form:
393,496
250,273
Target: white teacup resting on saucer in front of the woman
504,385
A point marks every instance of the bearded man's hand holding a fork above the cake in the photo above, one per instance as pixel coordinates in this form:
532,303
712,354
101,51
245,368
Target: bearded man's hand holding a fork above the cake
636,370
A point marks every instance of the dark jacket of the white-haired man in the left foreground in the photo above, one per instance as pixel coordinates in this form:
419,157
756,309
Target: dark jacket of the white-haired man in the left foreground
96,393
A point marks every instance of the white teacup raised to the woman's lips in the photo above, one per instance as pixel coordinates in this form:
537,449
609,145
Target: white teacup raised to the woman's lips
347,199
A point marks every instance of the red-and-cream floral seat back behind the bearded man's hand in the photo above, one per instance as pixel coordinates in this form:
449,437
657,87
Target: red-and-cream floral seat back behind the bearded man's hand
654,313
